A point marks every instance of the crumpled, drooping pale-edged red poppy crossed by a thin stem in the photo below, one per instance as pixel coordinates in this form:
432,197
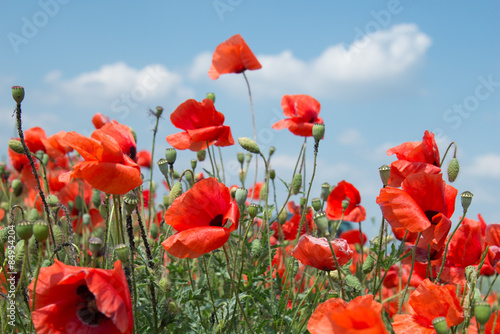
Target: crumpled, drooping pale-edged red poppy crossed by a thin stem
316,252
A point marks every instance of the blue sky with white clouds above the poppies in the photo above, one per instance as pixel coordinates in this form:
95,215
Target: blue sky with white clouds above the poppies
383,71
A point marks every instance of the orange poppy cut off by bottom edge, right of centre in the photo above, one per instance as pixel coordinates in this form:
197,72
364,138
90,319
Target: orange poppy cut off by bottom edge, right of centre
360,315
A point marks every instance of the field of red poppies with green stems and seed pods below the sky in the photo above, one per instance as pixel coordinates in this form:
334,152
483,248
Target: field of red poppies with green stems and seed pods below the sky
89,247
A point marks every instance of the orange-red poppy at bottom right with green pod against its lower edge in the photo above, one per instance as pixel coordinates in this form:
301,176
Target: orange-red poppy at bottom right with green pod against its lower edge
428,302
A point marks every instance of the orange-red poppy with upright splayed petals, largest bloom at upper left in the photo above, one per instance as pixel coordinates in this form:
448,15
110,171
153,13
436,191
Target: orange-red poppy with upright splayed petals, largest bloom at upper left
105,167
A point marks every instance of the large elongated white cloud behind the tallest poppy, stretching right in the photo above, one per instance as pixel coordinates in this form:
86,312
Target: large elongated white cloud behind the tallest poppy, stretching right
385,57
